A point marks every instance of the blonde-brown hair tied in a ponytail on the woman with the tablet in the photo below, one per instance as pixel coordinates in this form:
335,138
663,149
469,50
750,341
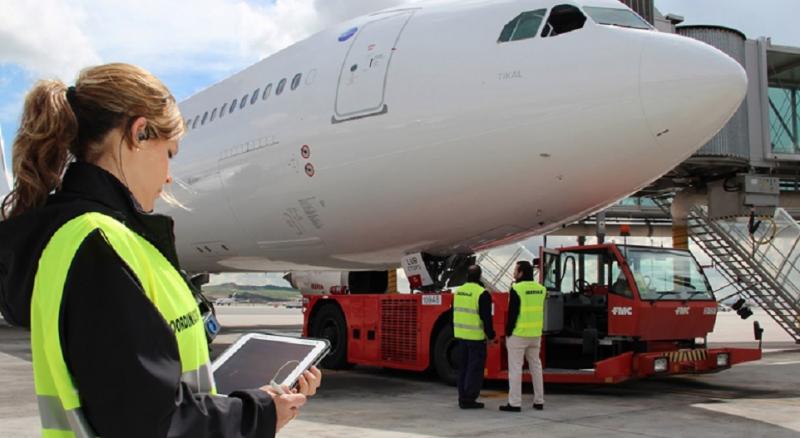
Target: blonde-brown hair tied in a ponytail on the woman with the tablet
60,123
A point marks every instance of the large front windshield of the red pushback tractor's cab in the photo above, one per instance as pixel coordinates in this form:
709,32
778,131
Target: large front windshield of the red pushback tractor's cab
663,274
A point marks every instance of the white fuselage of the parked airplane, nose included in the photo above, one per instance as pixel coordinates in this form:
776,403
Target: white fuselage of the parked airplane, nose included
424,133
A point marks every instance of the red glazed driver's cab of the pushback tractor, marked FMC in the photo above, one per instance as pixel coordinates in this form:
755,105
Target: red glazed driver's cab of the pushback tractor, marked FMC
603,299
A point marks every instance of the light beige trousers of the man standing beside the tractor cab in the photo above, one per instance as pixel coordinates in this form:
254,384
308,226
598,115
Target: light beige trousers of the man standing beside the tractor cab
520,348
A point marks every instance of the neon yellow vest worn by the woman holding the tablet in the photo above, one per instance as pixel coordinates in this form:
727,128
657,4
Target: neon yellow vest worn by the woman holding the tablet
59,402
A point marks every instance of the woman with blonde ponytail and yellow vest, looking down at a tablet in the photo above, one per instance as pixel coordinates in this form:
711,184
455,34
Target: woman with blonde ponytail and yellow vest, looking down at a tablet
118,341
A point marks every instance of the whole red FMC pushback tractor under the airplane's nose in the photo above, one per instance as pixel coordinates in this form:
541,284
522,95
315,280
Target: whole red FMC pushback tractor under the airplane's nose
612,313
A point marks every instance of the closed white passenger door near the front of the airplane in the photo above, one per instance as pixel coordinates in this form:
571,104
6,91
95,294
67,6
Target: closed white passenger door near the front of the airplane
361,90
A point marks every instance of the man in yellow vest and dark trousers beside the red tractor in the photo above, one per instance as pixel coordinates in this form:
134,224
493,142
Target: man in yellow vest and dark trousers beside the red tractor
472,327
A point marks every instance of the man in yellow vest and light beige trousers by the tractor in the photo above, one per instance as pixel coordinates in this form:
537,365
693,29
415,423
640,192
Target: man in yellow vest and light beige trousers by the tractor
523,336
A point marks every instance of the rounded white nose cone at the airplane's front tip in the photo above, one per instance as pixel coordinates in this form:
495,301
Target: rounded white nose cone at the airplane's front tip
689,90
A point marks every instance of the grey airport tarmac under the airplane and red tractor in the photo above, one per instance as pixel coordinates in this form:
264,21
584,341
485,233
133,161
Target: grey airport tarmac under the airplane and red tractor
760,399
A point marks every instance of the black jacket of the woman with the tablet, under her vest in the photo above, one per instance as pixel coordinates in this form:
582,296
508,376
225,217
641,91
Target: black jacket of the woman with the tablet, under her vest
119,350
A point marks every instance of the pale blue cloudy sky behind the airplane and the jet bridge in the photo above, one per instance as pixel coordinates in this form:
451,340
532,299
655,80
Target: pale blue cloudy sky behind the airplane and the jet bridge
192,44
